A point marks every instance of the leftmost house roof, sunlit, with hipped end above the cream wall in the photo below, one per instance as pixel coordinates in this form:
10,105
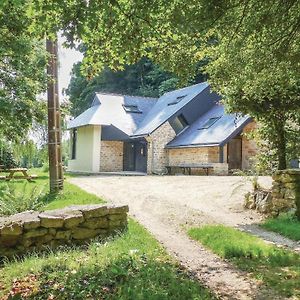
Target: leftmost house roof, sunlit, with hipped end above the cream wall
107,109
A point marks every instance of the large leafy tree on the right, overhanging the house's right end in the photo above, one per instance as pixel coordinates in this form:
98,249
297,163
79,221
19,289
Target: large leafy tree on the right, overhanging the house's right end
257,72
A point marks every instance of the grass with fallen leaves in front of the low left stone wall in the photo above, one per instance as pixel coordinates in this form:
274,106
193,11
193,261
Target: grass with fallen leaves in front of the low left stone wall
131,266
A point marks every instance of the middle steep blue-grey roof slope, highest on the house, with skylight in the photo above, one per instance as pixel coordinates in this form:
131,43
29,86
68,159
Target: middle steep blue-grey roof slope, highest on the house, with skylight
166,106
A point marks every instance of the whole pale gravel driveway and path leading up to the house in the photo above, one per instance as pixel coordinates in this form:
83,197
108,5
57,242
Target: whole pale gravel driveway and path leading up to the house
167,205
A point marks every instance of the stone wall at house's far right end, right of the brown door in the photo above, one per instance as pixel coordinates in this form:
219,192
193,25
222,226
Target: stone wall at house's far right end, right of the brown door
249,147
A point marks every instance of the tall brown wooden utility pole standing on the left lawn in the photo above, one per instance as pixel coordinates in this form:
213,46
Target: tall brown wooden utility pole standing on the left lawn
54,120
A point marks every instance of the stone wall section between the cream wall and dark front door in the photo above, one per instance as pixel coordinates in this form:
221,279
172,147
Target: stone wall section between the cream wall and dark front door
111,156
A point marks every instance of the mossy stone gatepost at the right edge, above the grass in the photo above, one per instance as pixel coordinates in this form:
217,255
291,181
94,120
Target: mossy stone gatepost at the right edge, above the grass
286,190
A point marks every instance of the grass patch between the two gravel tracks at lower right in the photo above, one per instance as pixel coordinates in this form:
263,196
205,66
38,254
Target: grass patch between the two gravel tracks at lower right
276,268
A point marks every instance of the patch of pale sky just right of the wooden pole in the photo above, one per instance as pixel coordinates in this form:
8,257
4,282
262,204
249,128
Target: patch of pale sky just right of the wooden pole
67,57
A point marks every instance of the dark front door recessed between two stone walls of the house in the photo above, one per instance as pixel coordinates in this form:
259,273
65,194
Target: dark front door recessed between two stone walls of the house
135,156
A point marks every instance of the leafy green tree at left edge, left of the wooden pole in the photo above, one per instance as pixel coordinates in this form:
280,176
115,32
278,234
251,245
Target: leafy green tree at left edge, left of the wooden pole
22,75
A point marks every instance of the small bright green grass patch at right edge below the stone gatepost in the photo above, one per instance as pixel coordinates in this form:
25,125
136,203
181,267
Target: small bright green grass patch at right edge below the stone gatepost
285,225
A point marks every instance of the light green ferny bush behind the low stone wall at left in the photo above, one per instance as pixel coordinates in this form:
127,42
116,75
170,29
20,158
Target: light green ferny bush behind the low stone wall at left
13,201
